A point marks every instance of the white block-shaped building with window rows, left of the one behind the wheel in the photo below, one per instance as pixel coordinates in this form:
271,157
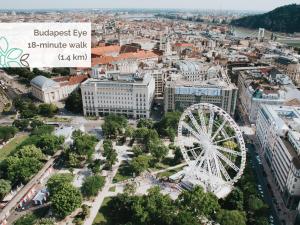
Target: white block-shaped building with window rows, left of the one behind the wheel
127,94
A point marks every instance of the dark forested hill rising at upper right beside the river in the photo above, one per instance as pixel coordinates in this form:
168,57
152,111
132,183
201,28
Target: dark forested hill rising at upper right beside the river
283,19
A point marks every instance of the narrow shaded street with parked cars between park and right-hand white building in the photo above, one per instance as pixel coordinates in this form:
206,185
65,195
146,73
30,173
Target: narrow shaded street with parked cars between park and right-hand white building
261,179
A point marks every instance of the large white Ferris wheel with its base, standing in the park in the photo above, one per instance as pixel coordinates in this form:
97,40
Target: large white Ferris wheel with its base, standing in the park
213,146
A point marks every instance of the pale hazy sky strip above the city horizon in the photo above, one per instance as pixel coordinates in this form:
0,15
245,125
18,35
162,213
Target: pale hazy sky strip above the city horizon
257,5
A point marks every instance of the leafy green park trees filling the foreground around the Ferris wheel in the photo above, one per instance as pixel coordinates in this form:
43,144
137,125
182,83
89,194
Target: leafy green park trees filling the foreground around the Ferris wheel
151,145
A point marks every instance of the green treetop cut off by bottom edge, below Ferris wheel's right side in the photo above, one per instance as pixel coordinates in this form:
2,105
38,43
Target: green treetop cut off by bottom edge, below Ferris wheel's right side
231,217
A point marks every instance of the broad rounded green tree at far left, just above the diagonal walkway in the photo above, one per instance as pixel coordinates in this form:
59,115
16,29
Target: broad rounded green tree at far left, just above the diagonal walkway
20,170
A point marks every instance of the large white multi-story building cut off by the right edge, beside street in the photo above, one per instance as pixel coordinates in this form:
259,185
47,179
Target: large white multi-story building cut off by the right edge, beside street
278,133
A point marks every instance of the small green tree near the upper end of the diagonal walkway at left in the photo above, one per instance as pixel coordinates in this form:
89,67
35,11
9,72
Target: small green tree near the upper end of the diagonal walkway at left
50,143
